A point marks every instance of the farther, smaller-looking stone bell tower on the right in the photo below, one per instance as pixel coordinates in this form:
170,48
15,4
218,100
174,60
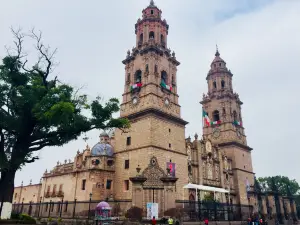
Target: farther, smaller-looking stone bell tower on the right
223,125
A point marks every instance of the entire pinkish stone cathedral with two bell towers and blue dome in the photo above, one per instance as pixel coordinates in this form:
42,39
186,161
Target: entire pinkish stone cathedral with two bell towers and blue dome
154,161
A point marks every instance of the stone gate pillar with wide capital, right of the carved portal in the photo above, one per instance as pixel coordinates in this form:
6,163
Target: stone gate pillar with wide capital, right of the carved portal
169,192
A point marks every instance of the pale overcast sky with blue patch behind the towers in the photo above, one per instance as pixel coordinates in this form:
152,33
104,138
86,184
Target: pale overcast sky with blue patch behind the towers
259,40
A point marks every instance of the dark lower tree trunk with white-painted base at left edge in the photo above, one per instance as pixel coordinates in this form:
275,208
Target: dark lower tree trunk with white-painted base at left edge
6,193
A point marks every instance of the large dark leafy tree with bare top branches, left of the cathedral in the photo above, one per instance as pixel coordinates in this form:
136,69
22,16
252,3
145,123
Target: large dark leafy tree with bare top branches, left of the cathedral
38,111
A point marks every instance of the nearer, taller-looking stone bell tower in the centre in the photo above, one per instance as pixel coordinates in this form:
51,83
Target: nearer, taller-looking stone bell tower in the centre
150,102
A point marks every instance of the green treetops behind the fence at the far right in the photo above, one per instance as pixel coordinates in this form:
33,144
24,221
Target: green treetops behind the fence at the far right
281,184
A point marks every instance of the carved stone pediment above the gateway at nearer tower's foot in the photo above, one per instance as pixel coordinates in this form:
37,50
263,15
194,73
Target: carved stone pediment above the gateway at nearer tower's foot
153,173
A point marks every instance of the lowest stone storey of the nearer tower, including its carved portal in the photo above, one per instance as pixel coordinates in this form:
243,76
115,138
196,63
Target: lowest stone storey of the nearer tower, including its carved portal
153,164
